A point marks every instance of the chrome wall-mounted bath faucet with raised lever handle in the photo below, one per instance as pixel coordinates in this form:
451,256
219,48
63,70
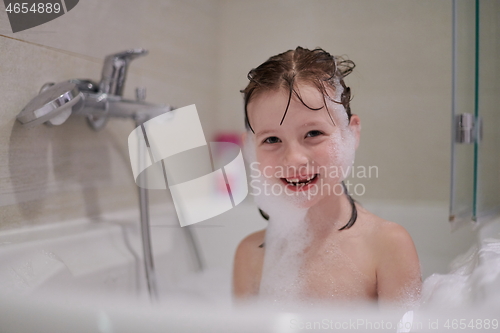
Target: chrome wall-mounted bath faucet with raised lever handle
98,102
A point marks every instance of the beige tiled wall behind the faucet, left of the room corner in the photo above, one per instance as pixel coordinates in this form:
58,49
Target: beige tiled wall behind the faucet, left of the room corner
67,172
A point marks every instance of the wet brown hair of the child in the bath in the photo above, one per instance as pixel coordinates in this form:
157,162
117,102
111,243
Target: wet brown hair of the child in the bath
315,67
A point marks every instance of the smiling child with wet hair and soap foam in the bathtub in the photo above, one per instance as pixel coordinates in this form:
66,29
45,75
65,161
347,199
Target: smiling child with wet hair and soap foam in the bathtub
320,244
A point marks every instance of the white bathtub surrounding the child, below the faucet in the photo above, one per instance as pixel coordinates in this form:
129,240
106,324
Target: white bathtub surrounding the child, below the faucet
87,276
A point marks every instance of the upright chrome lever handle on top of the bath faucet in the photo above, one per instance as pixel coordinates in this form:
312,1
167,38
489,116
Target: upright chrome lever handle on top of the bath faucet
114,71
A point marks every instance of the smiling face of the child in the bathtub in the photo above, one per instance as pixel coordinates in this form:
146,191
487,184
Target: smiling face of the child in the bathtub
308,155
